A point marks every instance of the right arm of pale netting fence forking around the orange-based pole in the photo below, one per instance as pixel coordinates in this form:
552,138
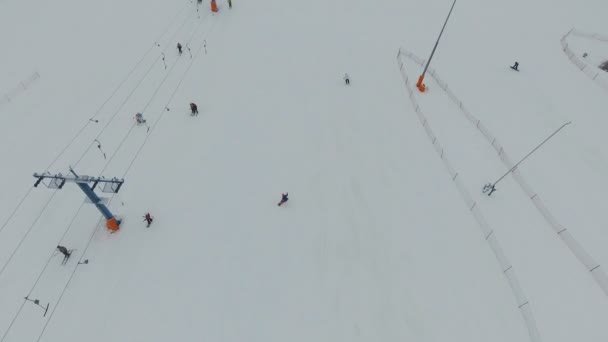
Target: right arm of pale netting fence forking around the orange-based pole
575,247
